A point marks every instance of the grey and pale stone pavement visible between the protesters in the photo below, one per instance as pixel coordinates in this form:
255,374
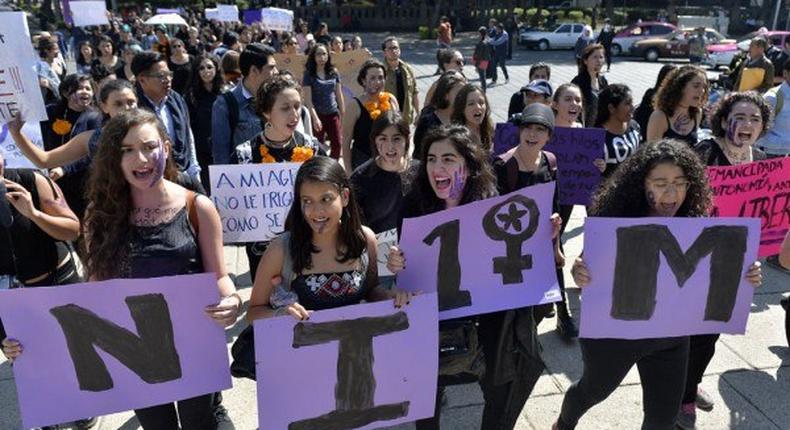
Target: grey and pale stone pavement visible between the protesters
749,376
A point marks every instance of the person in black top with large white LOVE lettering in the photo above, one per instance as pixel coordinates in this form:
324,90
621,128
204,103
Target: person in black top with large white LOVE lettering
615,115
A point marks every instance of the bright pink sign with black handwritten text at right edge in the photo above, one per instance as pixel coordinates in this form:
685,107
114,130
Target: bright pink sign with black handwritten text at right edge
760,190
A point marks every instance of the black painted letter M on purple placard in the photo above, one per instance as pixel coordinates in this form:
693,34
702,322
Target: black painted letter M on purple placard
637,266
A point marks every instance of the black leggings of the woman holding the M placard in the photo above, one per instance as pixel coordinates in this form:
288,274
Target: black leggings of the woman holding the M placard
662,370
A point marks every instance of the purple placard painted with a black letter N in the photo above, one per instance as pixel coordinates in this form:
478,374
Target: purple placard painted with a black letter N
46,379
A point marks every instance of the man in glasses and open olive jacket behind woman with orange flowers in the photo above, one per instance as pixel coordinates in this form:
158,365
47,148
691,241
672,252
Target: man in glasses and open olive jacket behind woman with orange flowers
400,80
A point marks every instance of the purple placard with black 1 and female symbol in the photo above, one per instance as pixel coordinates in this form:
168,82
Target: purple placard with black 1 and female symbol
531,276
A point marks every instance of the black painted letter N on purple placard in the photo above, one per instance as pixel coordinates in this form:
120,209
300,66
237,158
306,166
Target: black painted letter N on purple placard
151,353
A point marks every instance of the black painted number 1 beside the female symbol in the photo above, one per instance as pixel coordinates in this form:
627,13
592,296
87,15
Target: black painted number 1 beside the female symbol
448,270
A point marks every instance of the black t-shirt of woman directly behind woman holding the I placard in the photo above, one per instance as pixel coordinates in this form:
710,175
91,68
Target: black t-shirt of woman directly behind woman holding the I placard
379,193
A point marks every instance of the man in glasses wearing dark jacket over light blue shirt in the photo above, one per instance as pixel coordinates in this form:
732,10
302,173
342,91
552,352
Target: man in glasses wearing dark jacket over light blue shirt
154,80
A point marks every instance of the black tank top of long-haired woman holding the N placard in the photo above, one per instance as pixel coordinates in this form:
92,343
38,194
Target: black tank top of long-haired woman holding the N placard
166,249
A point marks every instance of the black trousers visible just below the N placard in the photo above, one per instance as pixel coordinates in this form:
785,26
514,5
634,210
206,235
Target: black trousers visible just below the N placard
196,413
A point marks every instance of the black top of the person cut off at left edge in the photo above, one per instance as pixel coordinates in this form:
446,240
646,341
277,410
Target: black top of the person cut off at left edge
26,251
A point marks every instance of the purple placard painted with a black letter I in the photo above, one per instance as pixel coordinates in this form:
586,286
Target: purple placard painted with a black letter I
298,383
